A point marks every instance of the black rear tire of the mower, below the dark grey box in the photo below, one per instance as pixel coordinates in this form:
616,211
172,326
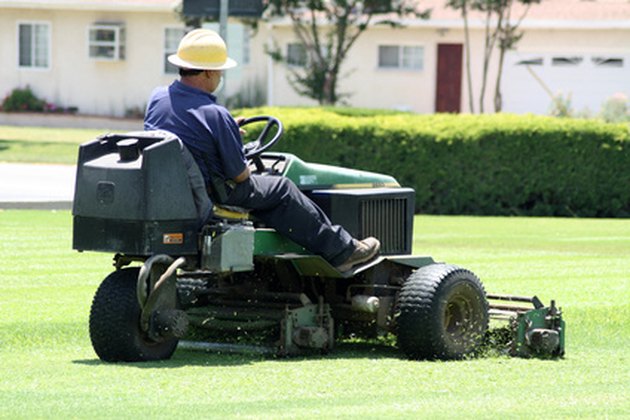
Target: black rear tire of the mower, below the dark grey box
115,322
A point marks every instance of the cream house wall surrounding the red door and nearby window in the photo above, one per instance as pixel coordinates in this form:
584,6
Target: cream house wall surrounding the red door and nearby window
372,87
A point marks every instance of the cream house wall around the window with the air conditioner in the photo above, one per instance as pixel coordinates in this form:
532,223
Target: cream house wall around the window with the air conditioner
99,87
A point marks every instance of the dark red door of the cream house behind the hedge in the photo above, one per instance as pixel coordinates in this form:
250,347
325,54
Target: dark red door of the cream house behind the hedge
448,94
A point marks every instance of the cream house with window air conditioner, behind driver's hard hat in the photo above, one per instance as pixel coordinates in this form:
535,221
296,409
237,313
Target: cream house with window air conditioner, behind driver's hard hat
104,57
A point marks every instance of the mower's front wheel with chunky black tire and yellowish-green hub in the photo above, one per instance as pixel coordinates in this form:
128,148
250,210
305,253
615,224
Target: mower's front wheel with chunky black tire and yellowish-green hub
442,313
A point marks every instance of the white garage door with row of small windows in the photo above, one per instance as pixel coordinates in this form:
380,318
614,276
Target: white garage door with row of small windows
530,80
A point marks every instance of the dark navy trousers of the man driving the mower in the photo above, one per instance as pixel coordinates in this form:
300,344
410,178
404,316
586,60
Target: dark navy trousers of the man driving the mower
278,202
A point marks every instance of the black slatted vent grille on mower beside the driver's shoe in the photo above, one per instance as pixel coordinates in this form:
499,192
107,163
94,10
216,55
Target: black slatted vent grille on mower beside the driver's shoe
386,219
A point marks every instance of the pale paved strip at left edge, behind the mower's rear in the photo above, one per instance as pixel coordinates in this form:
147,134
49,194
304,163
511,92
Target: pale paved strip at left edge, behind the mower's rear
36,186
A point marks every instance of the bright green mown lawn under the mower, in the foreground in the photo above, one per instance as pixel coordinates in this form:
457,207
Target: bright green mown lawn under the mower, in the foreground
48,368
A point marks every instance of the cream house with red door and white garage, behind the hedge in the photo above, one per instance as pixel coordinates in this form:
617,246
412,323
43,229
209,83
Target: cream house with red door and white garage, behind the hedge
571,47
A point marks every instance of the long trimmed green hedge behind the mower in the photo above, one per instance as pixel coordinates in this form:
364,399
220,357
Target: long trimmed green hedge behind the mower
474,164
